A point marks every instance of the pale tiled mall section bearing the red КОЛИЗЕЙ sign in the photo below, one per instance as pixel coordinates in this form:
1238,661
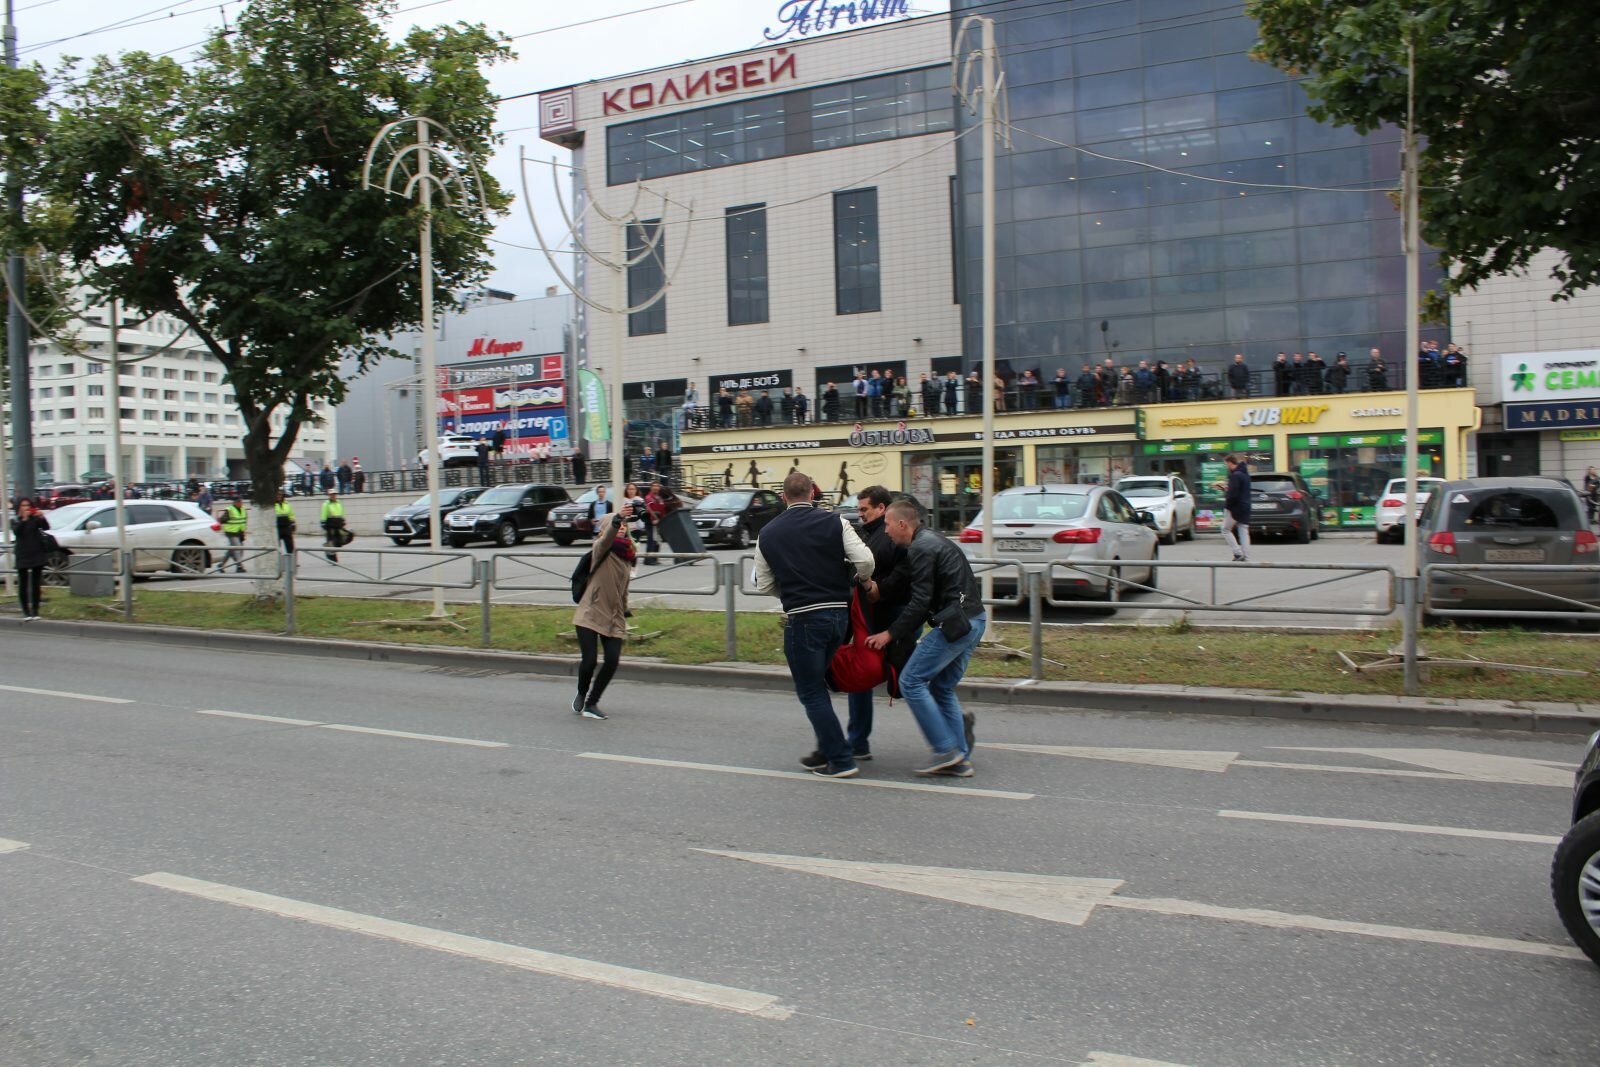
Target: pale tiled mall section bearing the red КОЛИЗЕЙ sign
809,228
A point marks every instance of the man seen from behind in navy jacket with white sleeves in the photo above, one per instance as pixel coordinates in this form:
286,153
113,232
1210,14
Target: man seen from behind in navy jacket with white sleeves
810,559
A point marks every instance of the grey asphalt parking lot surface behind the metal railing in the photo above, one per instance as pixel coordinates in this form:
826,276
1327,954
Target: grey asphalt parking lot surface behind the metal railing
538,573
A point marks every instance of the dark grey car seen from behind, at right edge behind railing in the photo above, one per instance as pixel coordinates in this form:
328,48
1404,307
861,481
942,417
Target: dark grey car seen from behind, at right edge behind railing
1516,522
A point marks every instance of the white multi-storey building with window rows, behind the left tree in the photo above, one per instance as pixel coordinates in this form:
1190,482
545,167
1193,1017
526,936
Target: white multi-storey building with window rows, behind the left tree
178,414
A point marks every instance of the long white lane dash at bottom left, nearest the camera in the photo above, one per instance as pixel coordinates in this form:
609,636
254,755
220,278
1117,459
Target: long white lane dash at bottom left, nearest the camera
666,986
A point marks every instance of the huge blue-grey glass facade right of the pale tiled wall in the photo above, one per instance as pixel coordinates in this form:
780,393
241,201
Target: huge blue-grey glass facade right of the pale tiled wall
1102,257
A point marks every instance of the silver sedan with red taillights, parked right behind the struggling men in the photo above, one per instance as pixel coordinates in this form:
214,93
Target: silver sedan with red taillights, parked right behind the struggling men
1070,524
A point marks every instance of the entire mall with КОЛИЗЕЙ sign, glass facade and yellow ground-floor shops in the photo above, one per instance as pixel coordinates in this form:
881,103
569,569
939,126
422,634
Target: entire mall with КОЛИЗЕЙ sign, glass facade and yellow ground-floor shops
812,209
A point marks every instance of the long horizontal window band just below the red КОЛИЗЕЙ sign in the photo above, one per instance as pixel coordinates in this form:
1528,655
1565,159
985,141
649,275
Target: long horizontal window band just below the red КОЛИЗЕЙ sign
882,108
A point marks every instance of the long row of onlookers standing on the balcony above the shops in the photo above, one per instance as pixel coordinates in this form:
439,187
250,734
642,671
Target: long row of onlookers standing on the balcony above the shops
876,394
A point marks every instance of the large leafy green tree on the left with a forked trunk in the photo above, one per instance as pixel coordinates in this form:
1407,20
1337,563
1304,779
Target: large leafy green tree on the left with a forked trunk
228,194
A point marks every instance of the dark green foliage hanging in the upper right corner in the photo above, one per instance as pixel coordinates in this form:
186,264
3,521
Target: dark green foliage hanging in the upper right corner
1506,100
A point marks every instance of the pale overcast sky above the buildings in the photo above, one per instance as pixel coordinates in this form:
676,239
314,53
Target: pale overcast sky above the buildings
551,54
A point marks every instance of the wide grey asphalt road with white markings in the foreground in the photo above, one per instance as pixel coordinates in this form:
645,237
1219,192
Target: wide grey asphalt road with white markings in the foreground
375,865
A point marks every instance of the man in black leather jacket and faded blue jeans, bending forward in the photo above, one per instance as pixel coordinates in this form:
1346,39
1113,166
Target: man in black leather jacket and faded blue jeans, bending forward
943,593
